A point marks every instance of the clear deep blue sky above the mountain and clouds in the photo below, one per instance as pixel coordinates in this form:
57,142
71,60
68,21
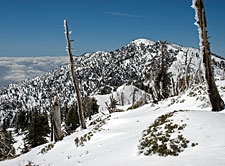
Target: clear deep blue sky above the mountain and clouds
35,27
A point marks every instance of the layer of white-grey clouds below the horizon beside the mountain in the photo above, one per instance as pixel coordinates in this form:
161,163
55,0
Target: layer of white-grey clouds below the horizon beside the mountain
14,69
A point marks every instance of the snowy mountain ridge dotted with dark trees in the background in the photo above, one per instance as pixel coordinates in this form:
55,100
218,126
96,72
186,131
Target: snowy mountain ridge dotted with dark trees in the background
102,73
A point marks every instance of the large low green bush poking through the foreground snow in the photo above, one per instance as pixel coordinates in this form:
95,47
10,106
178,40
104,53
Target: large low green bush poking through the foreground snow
157,138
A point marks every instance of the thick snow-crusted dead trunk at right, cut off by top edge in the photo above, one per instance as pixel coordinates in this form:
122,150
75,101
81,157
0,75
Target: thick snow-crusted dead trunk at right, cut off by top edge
215,99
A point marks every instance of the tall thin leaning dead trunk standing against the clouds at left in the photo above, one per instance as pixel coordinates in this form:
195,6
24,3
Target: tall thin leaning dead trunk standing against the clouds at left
75,81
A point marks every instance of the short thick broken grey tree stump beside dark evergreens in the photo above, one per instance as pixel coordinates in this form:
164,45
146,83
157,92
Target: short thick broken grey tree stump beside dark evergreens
56,118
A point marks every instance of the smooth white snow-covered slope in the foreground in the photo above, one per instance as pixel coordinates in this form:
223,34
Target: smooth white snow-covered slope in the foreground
116,144
